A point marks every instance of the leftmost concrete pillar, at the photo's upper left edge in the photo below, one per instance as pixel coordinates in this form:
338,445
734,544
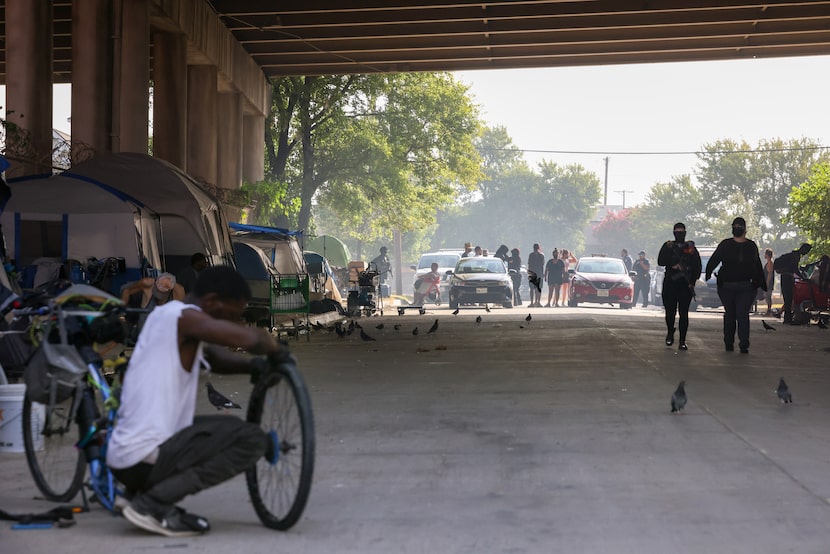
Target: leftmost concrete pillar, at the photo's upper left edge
28,87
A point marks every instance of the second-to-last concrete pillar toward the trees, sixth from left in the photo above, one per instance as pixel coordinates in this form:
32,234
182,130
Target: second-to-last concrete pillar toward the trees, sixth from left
229,140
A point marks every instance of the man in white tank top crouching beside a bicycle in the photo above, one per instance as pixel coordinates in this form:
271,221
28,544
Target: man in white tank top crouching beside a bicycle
158,450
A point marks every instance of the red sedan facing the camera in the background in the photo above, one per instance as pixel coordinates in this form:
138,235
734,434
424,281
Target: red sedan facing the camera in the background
601,280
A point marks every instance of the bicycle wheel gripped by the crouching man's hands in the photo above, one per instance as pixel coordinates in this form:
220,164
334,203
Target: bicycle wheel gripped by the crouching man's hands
279,488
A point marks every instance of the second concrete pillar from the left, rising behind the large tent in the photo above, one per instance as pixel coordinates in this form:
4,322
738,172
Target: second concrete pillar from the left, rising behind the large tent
91,78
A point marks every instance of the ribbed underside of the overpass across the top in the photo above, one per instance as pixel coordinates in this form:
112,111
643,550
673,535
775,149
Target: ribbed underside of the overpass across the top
365,36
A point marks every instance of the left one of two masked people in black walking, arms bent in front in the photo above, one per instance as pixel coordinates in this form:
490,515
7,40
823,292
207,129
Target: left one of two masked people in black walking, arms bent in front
682,262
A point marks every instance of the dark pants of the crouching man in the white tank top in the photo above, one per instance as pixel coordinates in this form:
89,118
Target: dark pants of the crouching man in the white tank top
212,450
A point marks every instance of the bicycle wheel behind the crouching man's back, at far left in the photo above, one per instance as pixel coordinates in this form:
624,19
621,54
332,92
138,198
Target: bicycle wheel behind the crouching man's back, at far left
49,441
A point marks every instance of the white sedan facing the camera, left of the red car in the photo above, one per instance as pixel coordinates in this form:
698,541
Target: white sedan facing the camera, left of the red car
480,280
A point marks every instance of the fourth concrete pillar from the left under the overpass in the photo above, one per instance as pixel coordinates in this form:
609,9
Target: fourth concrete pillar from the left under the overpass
170,98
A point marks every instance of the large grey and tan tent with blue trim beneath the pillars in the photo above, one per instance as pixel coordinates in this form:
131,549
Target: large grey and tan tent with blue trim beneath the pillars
126,205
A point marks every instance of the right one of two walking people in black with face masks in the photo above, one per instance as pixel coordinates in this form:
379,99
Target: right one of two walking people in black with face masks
740,275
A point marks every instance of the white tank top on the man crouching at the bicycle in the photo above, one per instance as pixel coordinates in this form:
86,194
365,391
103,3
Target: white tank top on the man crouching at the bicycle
158,397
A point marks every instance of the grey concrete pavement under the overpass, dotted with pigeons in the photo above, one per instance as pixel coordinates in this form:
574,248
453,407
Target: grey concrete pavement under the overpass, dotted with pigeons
548,436
